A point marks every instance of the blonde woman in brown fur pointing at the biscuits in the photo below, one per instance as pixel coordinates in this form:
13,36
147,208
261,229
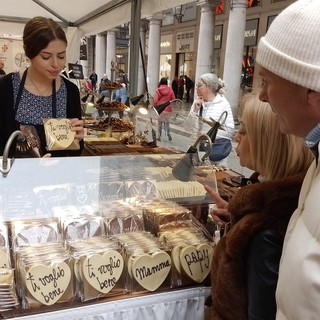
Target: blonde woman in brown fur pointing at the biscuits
246,261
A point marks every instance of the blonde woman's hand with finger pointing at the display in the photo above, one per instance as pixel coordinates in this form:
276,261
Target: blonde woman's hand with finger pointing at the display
220,213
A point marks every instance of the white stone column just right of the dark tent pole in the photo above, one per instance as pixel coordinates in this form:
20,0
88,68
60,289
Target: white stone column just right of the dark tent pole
154,52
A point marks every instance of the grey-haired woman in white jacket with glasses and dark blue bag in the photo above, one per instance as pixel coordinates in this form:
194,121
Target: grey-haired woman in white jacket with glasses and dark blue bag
210,103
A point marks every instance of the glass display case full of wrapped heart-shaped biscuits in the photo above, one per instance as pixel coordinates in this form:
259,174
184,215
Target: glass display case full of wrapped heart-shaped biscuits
69,191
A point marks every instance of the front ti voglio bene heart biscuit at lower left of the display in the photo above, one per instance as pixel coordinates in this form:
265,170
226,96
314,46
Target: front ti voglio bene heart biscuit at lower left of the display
47,284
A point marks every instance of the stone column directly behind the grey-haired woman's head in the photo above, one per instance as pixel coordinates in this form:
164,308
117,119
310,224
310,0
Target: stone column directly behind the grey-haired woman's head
206,39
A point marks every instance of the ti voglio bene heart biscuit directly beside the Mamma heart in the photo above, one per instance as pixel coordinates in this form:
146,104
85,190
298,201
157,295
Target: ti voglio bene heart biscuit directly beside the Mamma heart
103,271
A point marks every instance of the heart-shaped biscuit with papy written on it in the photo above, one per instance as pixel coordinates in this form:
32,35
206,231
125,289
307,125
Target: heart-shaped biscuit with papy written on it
196,261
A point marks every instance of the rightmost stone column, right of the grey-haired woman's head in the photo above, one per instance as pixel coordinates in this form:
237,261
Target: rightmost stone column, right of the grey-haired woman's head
234,52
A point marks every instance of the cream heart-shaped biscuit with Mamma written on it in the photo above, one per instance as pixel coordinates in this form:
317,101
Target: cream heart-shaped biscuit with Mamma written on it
150,271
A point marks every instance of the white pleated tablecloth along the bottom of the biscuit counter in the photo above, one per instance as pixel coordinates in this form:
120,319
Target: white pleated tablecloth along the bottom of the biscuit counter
183,304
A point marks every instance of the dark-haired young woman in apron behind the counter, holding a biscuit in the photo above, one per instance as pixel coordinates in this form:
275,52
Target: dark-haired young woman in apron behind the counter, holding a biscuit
39,93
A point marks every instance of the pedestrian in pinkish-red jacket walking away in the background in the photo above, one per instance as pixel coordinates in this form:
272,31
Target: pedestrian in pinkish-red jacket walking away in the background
162,95
